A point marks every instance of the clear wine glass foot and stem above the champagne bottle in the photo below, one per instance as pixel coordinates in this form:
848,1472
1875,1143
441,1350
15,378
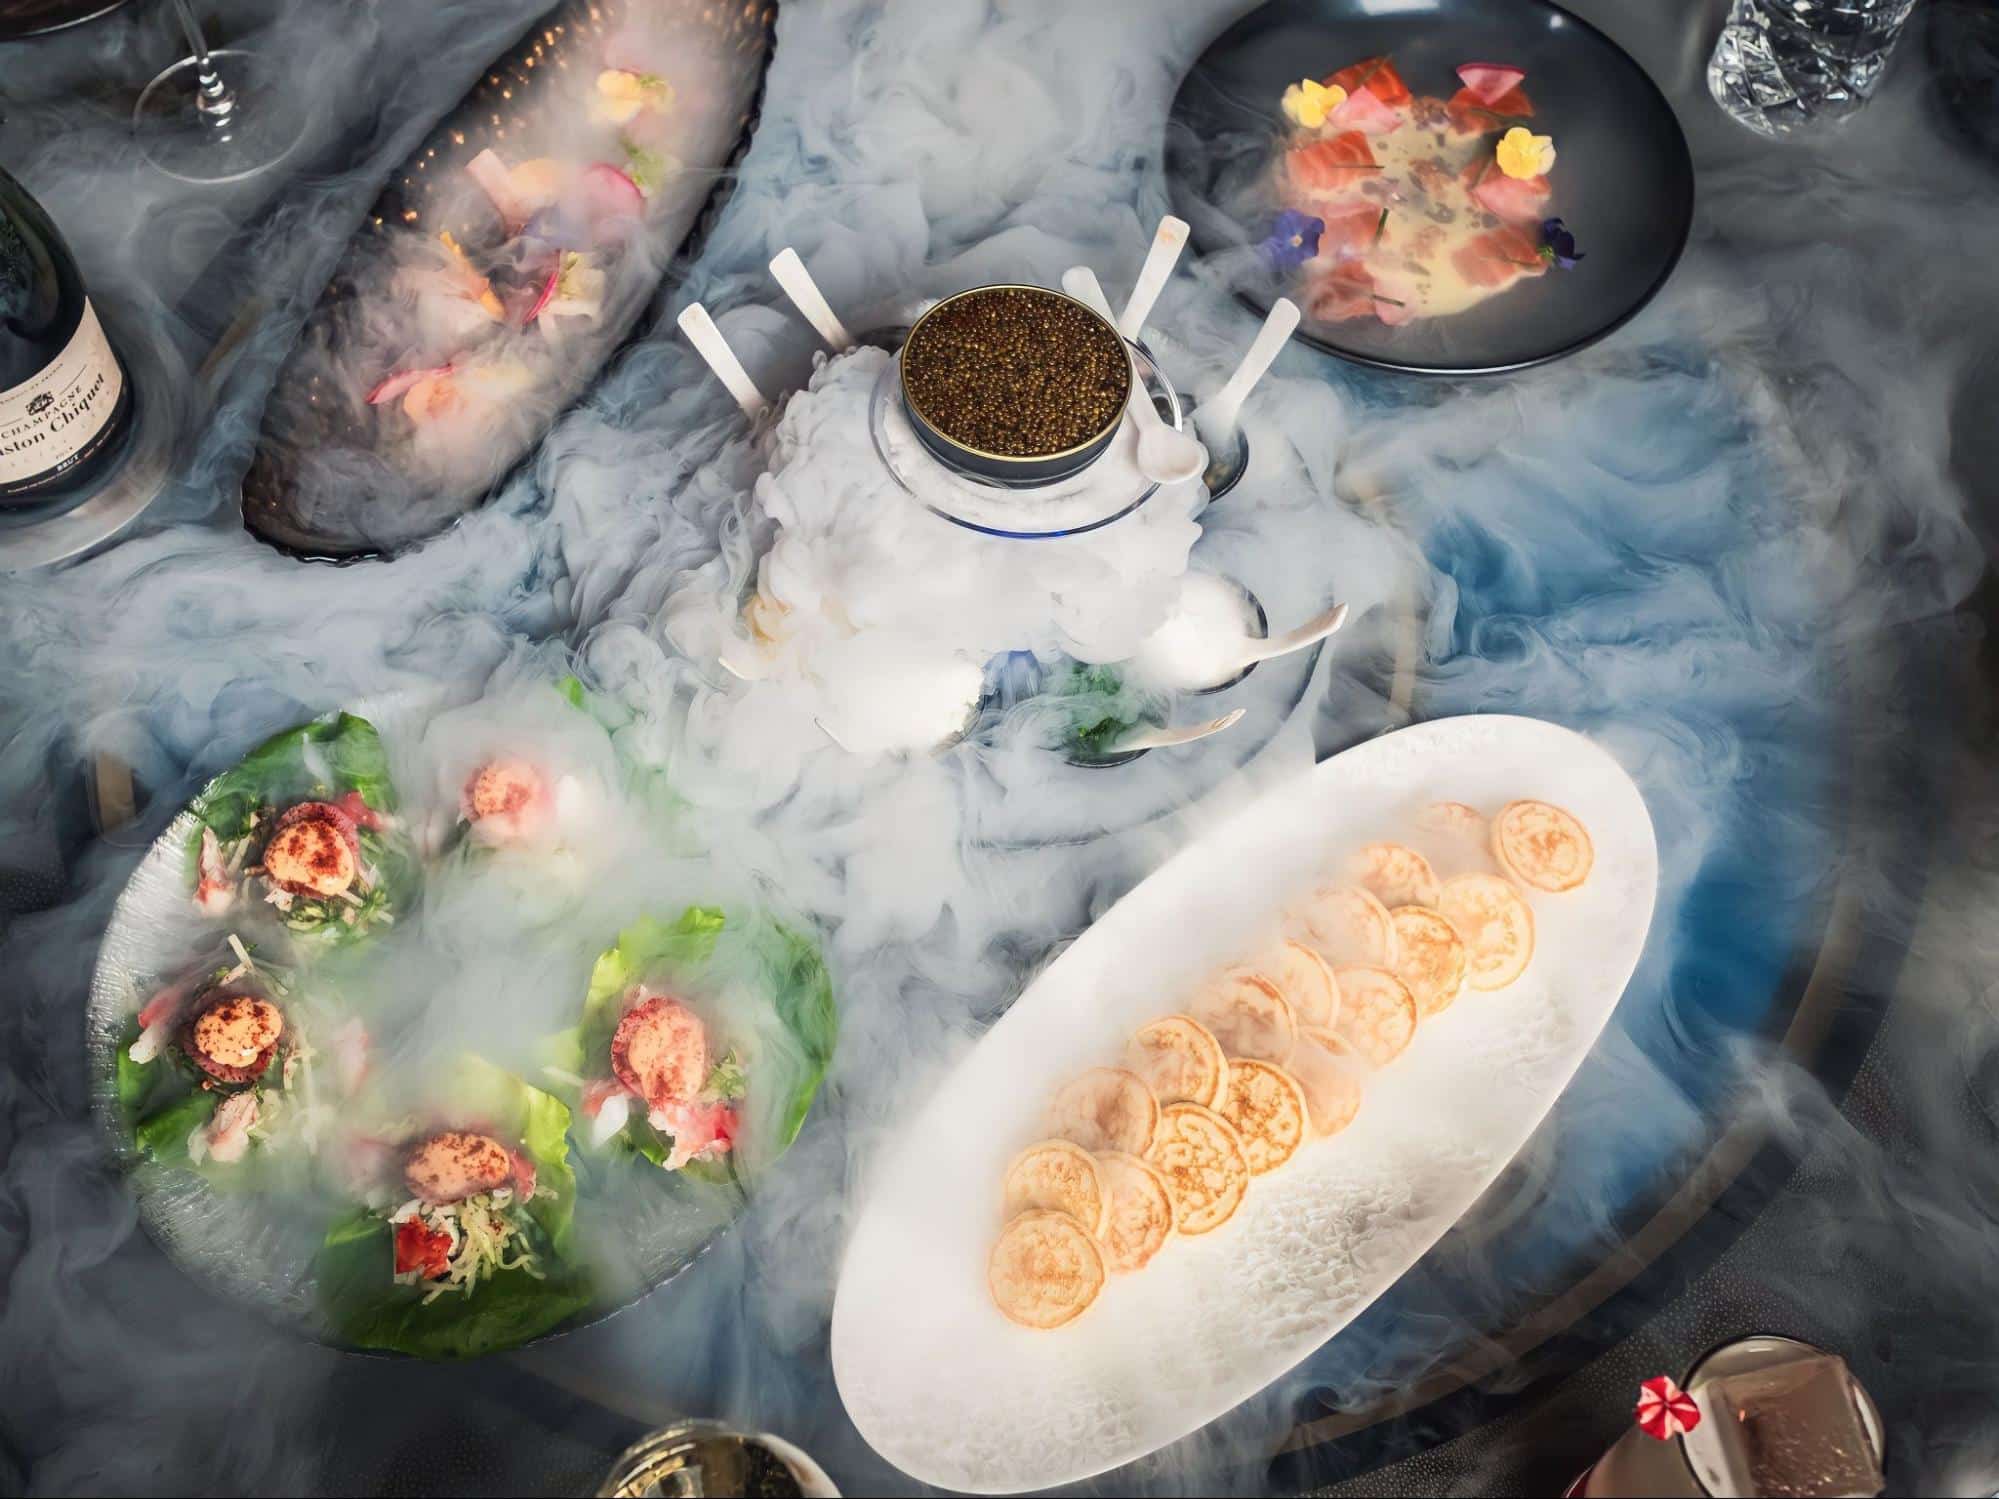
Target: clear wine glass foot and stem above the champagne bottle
215,117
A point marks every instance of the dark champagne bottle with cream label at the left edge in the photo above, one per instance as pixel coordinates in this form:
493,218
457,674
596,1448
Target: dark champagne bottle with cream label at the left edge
65,399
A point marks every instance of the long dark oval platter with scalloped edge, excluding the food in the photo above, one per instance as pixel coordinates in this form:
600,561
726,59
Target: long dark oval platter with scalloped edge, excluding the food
337,479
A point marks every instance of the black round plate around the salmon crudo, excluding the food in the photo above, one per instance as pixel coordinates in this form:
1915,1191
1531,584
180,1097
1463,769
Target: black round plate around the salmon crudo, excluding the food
1624,181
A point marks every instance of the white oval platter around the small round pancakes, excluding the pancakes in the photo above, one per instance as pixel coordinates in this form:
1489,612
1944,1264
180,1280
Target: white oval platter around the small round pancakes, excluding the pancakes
955,1394
